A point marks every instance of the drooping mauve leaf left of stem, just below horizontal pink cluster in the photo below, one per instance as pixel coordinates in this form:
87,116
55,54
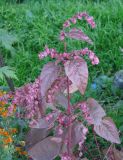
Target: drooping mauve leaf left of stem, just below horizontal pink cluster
49,74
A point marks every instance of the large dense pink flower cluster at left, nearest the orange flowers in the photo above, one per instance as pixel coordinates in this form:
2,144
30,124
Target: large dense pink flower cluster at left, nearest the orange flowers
27,97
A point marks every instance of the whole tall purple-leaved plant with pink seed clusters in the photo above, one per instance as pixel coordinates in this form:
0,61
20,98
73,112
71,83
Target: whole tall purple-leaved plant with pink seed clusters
53,89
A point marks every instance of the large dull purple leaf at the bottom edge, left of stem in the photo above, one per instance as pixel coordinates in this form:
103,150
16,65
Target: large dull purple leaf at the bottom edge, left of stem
47,149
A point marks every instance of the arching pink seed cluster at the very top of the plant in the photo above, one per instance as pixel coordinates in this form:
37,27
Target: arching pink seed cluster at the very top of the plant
79,16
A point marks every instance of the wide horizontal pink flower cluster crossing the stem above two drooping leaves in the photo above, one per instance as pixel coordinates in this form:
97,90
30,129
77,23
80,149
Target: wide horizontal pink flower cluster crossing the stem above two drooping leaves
67,56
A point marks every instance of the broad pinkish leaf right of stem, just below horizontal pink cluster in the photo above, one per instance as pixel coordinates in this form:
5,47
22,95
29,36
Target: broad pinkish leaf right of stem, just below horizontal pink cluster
77,72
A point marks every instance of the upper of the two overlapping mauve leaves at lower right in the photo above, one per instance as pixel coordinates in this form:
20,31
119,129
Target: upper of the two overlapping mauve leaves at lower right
96,111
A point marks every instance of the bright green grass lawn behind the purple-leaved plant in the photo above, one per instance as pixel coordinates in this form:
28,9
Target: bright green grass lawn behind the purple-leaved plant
37,23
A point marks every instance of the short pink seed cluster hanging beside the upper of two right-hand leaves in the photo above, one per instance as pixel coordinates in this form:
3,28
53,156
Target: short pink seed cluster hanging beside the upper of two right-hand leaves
85,112
